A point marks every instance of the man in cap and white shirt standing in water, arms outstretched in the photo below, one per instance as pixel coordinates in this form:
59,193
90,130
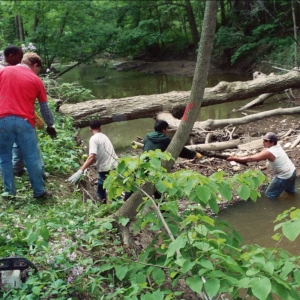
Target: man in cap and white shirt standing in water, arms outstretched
282,167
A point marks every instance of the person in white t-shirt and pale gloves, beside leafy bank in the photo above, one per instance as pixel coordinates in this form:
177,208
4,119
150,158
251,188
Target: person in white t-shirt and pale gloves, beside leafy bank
101,152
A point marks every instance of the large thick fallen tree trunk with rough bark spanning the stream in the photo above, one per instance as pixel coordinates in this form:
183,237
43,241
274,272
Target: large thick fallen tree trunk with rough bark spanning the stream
130,108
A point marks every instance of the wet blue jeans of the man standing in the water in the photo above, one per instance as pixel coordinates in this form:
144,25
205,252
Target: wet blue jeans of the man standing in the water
277,186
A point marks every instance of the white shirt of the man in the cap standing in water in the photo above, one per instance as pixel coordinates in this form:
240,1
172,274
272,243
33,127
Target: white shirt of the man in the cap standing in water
282,166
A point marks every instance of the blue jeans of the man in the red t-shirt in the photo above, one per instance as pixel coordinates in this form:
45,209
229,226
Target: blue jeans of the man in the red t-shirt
14,129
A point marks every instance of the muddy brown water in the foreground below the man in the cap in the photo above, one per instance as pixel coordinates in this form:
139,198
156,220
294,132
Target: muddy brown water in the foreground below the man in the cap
254,220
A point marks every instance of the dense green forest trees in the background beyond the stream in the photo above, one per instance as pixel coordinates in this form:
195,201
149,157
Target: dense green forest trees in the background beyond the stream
74,30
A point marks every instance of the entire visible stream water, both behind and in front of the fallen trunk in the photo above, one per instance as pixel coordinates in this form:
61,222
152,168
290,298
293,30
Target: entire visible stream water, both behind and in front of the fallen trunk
254,221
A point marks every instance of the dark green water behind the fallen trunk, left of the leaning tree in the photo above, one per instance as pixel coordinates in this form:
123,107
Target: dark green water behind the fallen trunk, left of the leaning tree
108,84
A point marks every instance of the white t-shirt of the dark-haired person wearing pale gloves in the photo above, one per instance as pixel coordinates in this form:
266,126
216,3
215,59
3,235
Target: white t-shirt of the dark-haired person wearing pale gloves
100,145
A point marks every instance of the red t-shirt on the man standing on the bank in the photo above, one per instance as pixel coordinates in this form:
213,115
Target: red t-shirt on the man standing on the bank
19,87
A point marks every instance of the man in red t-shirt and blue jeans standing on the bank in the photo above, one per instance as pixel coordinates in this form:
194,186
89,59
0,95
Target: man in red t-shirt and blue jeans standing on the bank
19,88
